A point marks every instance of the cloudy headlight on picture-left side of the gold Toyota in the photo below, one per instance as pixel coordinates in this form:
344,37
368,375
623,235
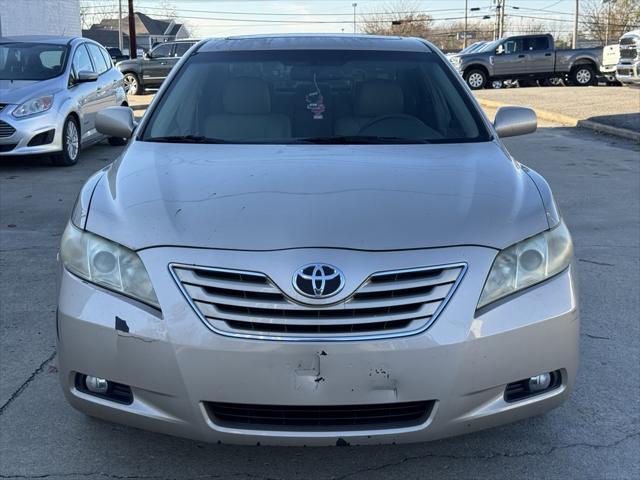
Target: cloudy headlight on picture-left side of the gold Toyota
107,264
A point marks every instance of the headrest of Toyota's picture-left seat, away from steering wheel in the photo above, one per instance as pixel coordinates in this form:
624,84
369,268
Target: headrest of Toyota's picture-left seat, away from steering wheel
246,96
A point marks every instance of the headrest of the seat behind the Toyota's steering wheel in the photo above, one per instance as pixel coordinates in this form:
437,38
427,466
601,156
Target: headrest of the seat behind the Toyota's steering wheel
378,97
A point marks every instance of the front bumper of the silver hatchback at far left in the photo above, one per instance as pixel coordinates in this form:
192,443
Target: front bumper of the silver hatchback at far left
26,129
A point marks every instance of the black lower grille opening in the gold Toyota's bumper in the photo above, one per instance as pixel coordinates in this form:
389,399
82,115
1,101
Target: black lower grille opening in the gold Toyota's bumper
309,418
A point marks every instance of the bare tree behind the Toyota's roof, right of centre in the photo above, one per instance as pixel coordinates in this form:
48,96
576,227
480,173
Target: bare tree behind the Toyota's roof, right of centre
397,18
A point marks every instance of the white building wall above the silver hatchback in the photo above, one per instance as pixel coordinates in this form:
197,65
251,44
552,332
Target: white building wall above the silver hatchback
40,17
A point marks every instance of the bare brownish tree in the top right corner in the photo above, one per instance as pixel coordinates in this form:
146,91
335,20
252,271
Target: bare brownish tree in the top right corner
606,21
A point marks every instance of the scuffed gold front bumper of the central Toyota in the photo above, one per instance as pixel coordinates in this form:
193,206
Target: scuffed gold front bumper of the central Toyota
174,363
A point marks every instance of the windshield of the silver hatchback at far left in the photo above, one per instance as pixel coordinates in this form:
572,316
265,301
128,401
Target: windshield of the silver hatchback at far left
31,61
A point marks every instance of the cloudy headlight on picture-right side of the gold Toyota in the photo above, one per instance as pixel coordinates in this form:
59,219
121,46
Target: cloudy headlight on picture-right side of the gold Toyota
528,262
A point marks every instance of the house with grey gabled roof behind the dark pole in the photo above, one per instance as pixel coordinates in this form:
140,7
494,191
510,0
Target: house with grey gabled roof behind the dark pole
149,31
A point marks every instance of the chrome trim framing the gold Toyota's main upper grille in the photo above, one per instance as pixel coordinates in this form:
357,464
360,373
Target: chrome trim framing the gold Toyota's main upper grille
319,338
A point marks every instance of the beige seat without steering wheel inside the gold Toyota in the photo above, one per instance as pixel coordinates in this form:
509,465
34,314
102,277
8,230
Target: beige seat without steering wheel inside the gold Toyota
246,104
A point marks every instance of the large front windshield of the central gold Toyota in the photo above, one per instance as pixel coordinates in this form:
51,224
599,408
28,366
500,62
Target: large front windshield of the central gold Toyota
315,96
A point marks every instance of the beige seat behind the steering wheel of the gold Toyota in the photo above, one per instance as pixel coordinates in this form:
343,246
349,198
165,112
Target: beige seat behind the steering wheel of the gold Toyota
373,99
